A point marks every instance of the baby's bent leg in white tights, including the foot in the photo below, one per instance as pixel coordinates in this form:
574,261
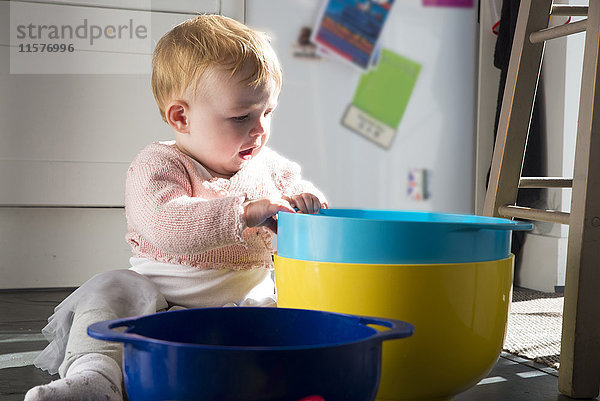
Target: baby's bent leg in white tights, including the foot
91,369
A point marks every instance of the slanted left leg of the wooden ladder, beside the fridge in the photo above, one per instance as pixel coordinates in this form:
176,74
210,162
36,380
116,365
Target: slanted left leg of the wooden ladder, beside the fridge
515,114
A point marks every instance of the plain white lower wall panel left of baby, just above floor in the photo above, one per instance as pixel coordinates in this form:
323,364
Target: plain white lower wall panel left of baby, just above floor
60,247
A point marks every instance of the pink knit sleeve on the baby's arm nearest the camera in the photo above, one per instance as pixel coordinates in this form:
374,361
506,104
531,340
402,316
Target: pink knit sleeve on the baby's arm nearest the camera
160,207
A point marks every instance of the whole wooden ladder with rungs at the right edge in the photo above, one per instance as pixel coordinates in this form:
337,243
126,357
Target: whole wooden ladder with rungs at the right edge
579,372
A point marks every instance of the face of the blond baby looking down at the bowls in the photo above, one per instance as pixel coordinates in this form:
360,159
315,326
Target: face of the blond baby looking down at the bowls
230,123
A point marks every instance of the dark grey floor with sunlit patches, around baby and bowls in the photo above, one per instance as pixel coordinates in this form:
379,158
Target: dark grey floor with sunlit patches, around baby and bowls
24,313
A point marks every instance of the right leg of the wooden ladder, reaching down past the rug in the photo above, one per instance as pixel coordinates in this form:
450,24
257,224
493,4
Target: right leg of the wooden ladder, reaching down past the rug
579,373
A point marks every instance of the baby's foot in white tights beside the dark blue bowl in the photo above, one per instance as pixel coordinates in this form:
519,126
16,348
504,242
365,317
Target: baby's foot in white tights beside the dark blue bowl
93,377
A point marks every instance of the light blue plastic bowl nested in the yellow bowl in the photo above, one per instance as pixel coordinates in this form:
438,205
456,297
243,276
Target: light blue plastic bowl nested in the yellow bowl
394,237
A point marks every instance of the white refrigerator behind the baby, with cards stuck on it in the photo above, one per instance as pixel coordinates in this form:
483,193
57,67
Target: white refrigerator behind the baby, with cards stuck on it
434,144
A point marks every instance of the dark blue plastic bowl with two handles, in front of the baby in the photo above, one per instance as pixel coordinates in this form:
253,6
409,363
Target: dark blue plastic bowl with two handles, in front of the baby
250,354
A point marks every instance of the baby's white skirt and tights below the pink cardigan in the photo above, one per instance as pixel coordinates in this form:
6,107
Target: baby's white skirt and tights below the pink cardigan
91,369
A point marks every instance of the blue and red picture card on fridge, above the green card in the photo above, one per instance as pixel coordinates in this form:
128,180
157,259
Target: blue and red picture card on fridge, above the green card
350,29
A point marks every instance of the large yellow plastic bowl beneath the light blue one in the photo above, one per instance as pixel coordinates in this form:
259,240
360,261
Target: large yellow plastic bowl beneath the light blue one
459,312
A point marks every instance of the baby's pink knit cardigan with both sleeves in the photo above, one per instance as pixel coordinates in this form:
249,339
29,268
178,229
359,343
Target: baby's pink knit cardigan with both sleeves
178,213
